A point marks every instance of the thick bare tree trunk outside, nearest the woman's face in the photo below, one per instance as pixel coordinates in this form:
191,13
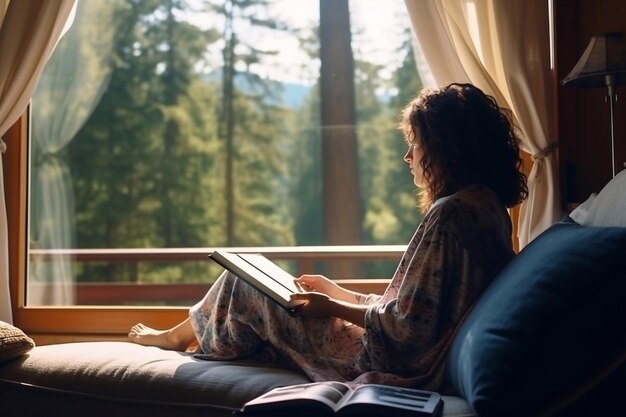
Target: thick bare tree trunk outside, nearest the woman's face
342,214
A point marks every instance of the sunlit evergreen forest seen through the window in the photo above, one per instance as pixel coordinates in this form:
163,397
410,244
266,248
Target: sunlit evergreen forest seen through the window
174,157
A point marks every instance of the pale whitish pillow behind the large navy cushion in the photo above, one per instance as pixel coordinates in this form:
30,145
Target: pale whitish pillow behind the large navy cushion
608,208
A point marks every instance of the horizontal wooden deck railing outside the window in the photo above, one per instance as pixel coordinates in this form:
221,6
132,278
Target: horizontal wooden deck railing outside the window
115,293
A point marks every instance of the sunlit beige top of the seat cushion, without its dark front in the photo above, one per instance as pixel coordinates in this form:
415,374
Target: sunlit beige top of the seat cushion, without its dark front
133,373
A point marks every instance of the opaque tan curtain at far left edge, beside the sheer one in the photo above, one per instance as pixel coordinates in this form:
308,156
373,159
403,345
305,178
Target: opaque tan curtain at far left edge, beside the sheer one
28,34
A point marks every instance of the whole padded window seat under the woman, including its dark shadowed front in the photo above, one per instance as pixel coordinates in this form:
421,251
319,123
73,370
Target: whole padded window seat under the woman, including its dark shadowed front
125,379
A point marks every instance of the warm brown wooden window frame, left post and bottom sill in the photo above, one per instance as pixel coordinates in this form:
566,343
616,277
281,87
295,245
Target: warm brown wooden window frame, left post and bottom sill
54,324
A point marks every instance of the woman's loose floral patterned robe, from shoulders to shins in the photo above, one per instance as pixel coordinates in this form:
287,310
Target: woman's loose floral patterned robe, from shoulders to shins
457,250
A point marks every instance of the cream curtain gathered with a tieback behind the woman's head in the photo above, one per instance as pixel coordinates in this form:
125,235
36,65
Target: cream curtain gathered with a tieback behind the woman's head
503,48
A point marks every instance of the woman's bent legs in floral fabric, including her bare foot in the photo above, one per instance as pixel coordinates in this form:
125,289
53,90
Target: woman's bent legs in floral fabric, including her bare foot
234,320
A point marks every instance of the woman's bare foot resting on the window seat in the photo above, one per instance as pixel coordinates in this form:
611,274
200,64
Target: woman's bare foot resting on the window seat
176,338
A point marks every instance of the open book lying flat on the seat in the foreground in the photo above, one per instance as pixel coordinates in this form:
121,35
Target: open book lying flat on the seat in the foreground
338,399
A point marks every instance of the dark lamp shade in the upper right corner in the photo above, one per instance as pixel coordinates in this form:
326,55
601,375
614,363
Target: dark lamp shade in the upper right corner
605,56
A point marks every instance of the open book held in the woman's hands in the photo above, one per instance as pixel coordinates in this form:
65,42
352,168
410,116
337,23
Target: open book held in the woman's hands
262,274
